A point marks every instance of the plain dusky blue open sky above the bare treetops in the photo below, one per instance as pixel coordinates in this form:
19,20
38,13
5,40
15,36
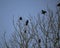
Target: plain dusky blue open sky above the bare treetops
16,8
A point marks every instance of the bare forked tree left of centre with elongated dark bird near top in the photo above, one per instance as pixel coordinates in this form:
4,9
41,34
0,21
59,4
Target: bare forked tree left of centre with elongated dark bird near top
26,35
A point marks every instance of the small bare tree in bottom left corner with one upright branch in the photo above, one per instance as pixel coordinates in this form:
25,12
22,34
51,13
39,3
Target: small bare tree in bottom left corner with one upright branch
4,43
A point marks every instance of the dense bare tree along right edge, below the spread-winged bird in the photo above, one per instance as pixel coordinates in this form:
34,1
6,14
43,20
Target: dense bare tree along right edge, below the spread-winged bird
50,27
